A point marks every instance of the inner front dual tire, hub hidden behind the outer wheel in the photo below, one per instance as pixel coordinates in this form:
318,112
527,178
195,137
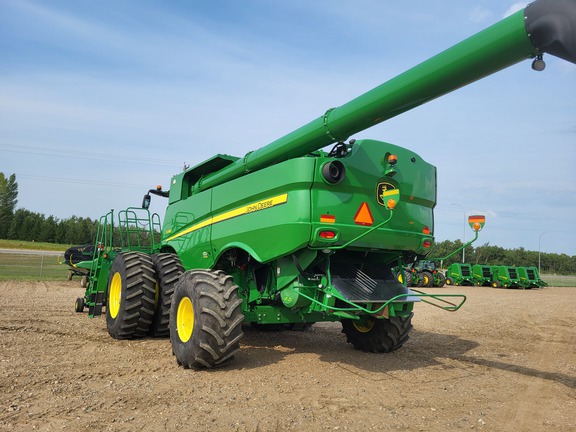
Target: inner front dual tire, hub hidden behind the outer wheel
168,270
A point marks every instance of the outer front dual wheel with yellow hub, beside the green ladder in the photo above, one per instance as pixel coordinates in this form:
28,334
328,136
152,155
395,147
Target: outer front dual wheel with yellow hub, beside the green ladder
130,298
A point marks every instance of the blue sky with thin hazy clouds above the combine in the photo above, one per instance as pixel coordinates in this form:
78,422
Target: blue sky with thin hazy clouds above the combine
100,101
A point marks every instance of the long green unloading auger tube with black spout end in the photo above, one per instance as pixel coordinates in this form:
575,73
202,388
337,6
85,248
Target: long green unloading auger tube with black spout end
544,26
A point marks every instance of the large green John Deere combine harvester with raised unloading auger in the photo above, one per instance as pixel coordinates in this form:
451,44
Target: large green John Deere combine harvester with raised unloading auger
293,234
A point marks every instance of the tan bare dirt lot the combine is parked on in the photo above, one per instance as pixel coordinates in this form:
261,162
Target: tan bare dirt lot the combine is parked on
505,362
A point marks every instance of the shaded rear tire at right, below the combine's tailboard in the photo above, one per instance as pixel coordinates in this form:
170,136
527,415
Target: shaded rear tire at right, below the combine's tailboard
377,335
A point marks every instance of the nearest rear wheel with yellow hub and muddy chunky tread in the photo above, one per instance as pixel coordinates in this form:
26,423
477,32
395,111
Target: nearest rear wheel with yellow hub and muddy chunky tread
205,319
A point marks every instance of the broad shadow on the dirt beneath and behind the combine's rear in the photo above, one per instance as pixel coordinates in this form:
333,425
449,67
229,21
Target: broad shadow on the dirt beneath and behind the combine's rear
262,348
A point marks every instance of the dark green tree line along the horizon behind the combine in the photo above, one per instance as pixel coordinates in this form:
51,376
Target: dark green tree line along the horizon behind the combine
21,224
